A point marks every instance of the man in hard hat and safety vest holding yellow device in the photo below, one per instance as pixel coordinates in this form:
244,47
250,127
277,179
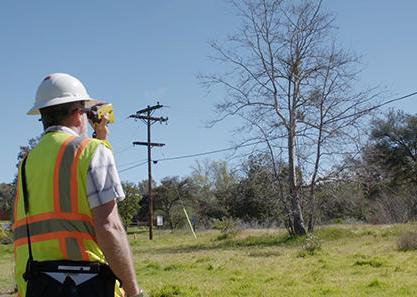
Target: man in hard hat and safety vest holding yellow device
73,189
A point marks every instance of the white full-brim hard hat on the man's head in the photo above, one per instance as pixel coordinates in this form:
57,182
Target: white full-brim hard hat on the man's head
60,88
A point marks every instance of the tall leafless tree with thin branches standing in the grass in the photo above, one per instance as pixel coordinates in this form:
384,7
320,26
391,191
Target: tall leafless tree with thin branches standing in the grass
294,86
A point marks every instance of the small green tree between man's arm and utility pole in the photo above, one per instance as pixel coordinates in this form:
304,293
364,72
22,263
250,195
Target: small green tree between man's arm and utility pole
129,207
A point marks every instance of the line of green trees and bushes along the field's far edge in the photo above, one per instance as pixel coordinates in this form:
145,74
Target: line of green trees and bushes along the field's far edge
378,185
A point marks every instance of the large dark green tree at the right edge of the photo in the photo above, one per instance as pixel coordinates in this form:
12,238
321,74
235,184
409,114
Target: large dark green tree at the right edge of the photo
387,168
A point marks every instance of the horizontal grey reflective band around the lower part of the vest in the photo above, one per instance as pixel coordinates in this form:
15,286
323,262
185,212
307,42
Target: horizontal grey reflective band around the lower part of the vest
53,225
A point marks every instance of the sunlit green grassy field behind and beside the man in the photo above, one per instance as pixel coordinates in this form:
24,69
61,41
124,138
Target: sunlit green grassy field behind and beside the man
354,260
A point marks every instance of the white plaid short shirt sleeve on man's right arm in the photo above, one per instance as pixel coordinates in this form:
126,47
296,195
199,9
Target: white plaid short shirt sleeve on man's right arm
103,181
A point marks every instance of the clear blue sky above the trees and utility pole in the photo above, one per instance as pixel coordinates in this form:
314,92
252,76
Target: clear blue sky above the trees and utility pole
132,52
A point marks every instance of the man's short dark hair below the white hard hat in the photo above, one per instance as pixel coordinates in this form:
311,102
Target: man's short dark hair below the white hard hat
56,114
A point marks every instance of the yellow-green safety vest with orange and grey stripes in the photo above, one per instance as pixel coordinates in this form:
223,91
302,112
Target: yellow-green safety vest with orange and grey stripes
60,219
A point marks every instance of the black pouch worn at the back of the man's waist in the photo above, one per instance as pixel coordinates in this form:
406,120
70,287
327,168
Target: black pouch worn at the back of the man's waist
99,279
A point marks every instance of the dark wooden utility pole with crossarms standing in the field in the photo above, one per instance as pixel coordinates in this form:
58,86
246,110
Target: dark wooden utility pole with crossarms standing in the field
146,116
